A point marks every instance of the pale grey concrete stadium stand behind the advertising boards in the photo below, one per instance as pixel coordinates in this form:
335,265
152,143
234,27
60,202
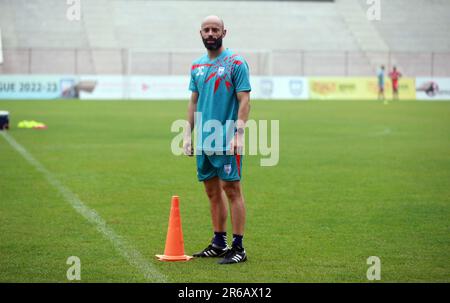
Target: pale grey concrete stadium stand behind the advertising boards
161,37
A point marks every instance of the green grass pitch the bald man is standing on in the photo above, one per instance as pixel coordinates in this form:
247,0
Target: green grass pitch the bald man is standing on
355,179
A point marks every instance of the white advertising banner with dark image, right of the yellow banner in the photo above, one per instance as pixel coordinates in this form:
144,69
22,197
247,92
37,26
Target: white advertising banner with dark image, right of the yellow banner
429,89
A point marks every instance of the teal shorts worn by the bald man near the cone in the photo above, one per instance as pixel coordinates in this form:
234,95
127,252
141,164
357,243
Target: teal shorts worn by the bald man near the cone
226,167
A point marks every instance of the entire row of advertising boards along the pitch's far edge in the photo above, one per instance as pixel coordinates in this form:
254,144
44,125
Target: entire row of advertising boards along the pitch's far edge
100,87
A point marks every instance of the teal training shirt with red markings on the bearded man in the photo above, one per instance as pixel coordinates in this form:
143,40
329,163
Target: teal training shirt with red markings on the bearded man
217,81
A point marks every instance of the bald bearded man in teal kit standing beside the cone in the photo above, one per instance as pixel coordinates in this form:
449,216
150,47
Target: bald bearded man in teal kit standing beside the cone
220,103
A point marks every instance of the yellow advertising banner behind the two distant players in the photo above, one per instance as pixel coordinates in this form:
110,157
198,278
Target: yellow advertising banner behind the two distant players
361,88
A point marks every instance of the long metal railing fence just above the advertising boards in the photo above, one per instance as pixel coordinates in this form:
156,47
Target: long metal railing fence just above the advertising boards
261,62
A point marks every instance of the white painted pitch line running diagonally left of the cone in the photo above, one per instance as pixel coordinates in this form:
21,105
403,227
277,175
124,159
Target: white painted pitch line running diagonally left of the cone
133,256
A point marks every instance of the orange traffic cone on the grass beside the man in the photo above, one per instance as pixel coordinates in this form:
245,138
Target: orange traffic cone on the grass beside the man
174,250
